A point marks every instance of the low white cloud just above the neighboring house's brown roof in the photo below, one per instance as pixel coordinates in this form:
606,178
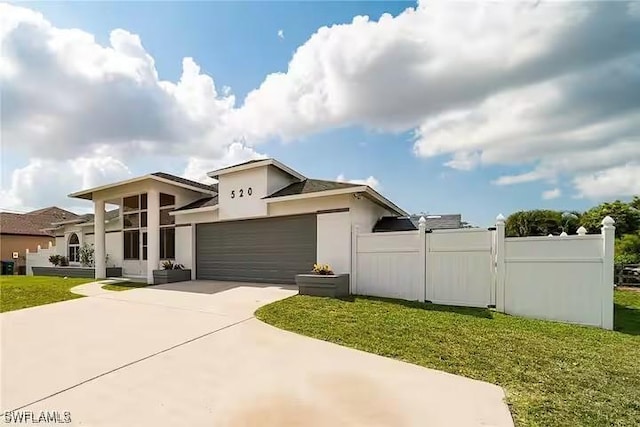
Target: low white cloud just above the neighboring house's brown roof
47,182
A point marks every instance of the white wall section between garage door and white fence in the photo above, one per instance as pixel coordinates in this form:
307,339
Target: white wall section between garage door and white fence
334,241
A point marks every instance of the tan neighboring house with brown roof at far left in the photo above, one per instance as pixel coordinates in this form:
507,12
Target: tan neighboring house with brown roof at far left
19,232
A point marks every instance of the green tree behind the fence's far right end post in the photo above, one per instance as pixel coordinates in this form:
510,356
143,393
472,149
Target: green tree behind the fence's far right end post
626,217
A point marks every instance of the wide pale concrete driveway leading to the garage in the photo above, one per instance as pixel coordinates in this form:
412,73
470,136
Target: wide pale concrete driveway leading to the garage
193,354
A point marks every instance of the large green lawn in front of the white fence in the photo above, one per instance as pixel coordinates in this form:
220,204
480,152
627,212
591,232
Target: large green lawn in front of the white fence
554,374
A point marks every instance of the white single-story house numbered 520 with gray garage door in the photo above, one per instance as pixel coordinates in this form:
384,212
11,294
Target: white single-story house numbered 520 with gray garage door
262,221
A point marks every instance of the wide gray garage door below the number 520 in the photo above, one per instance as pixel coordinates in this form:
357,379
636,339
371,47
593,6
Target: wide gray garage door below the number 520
260,250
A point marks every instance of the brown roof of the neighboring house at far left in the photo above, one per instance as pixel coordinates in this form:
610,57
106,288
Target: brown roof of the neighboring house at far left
32,223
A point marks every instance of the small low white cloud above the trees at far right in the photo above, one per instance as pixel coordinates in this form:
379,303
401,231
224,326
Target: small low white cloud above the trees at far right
615,181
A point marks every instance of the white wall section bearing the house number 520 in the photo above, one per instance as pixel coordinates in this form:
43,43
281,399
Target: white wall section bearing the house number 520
252,181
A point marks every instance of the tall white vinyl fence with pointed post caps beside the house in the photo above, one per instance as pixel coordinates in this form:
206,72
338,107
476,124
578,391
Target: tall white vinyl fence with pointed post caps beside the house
564,278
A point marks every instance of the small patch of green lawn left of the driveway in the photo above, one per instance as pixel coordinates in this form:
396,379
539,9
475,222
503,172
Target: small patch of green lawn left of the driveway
18,292
